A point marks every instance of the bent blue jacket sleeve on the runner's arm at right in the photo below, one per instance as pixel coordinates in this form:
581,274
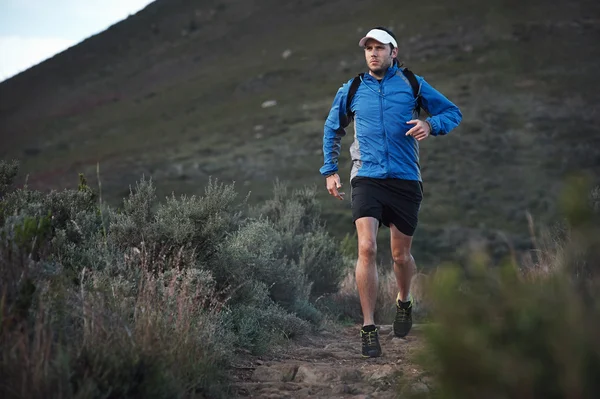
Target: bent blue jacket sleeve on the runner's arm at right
444,115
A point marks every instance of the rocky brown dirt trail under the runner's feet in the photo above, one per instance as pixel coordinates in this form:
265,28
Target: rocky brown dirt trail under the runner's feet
329,365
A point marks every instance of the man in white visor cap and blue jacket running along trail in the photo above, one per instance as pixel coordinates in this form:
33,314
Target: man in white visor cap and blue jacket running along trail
385,177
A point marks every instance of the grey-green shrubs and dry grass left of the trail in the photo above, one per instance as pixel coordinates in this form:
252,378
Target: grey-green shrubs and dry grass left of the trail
152,299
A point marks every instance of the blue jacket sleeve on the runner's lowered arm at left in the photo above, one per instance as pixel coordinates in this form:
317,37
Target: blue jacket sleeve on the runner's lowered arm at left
336,122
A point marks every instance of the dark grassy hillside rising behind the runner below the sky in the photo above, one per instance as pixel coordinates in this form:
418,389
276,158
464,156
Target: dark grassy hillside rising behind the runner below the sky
175,92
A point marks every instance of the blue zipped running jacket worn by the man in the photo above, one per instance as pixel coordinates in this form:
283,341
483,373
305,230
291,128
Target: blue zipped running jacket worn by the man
381,148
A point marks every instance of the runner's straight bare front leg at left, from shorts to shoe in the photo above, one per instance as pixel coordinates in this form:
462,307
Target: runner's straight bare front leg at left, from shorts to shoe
366,267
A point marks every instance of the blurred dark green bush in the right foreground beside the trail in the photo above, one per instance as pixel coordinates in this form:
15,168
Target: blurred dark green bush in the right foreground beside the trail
514,332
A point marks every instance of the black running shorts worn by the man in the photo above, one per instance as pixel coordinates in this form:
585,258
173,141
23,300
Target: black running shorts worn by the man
390,201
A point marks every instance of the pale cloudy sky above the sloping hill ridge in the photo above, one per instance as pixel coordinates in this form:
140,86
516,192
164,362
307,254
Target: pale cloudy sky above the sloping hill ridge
34,30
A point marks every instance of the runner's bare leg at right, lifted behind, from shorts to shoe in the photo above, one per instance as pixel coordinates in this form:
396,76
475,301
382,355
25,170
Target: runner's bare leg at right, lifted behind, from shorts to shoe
404,263
